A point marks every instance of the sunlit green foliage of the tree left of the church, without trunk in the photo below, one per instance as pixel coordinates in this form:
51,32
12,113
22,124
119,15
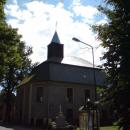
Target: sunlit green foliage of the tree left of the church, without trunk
14,54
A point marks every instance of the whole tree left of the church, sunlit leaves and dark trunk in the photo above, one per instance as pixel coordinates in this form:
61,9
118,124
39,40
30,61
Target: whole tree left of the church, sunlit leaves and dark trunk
14,61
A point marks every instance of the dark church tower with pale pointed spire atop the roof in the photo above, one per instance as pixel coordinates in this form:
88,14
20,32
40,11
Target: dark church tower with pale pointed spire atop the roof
55,49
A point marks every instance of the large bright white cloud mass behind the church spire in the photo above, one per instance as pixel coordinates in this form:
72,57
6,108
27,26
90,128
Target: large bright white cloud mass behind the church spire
36,22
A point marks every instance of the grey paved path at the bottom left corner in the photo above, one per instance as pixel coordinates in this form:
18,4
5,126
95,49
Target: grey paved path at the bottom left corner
16,128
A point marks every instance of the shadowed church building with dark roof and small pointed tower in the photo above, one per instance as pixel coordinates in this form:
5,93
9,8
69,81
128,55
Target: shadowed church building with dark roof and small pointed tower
55,86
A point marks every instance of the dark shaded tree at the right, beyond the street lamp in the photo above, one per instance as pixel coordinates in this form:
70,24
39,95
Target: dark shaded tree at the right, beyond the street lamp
115,37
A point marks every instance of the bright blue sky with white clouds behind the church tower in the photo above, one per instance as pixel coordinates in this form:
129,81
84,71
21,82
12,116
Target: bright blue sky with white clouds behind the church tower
37,20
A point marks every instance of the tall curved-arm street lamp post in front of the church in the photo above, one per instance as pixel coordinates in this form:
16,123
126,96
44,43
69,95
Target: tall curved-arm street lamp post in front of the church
94,80
